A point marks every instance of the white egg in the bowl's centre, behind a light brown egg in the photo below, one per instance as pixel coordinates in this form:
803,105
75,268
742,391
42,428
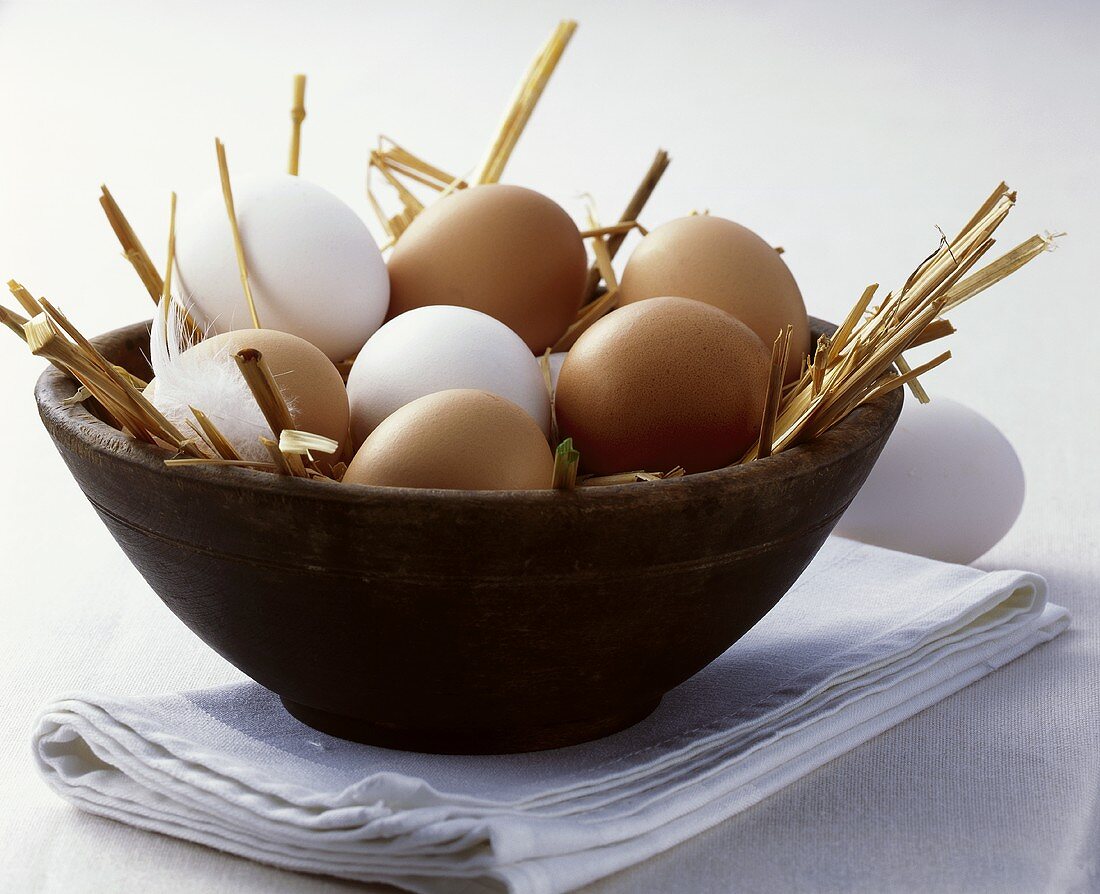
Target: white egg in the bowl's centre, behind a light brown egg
437,349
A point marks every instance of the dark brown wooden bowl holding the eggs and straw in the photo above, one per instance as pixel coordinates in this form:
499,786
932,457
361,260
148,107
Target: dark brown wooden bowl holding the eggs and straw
464,622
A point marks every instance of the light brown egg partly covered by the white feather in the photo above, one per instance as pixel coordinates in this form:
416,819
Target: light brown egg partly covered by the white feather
310,382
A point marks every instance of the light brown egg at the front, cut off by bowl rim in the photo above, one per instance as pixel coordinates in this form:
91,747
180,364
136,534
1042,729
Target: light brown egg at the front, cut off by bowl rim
457,440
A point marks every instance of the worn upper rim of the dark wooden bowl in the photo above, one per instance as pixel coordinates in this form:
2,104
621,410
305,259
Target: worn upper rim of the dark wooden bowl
853,434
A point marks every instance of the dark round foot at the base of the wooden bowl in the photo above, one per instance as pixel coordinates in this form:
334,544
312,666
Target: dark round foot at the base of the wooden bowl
503,741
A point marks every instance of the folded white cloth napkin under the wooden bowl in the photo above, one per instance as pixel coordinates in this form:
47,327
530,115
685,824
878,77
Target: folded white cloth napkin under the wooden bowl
864,641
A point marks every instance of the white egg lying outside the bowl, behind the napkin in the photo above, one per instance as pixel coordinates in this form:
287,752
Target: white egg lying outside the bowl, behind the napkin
949,485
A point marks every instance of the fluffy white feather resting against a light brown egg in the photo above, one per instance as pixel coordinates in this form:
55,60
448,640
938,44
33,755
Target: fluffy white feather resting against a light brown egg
208,381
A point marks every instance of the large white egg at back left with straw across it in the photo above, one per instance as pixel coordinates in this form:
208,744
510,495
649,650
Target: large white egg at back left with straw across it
315,269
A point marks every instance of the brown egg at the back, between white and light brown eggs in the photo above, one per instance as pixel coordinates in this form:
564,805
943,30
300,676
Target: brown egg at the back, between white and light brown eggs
507,251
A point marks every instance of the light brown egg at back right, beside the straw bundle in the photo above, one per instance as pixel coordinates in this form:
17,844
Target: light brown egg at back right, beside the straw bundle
722,263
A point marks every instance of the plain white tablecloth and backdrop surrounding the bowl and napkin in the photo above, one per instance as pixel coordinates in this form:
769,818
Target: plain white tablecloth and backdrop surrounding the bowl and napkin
844,133
